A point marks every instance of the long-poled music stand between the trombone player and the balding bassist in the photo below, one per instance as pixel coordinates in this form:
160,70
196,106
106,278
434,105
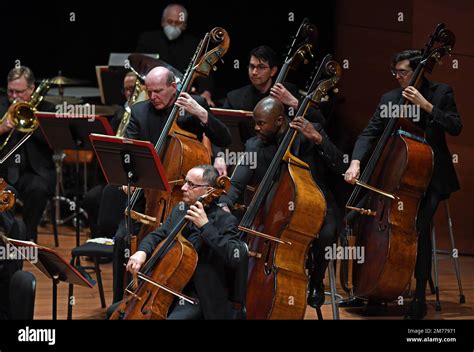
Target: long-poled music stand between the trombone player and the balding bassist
72,132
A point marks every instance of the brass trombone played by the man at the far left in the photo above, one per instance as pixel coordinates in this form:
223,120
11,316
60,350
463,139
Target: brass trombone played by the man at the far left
22,116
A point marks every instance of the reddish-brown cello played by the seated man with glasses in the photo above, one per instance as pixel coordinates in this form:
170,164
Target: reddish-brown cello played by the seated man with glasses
166,273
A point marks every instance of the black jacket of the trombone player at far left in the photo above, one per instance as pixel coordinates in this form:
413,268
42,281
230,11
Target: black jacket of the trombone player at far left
35,153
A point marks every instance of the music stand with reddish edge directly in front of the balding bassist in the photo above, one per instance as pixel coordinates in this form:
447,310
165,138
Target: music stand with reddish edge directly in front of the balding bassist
129,162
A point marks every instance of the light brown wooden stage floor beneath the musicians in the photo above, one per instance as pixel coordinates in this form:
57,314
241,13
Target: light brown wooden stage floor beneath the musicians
88,304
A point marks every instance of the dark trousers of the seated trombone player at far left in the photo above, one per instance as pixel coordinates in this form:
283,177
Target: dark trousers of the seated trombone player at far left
34,191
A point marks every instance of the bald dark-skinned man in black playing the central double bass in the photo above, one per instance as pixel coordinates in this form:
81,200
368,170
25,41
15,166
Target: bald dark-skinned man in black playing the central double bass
316,149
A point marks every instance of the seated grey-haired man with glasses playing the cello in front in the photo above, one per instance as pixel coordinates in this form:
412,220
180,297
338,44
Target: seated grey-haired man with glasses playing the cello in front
214,235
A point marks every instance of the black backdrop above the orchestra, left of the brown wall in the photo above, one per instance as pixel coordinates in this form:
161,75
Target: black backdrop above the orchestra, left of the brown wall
43,37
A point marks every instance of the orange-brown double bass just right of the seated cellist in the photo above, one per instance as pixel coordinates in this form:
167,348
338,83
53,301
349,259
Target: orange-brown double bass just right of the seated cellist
284,217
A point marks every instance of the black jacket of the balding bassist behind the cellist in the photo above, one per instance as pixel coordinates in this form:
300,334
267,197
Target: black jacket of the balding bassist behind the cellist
146,123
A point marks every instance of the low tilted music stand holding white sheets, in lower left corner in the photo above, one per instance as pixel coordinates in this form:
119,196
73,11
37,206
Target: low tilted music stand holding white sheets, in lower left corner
51,264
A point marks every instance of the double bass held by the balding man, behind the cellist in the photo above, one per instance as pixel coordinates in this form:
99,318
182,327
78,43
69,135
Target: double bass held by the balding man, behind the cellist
178,149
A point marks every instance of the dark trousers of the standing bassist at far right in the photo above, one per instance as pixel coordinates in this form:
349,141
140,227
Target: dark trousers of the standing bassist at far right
427,209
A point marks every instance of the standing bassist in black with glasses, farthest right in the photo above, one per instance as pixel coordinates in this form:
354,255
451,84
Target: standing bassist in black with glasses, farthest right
438,116
